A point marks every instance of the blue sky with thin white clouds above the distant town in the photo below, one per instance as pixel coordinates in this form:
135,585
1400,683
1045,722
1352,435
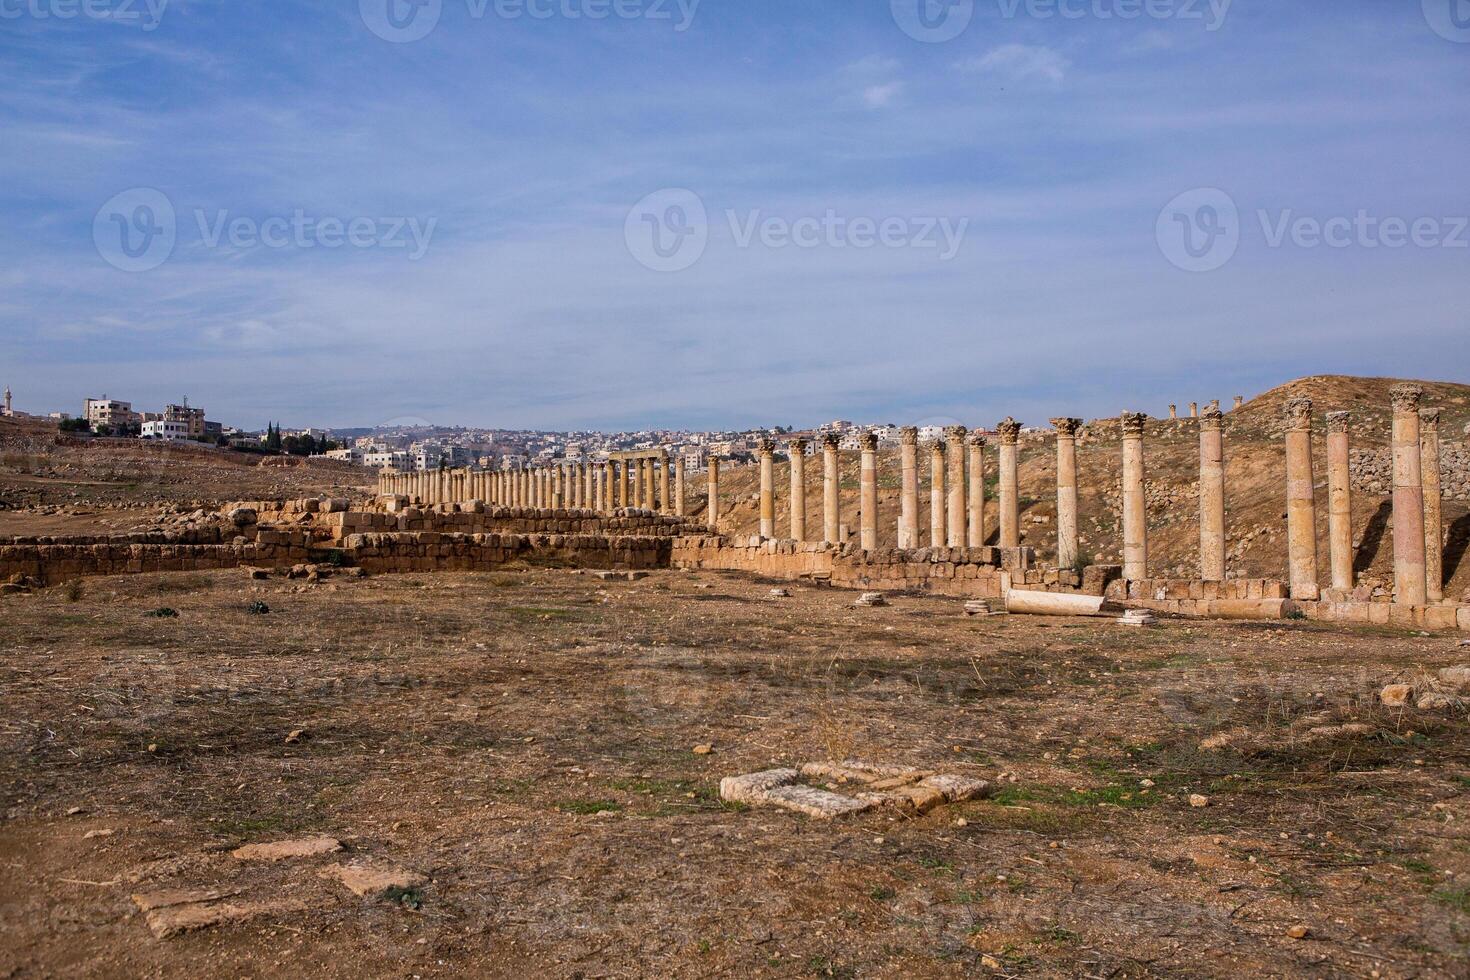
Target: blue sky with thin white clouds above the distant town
1062,154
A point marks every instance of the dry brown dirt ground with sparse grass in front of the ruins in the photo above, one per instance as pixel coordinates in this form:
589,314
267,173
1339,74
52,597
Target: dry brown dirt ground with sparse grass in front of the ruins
526,741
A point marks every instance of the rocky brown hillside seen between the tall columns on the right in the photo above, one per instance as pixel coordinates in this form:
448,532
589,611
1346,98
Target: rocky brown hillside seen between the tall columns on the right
1256,491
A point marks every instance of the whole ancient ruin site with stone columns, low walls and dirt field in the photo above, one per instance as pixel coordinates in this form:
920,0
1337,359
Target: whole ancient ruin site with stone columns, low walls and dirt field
1166,696
